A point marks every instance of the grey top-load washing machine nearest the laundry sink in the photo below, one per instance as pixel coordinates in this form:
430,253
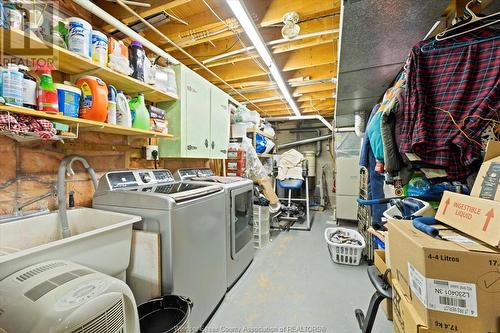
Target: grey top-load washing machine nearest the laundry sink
192,234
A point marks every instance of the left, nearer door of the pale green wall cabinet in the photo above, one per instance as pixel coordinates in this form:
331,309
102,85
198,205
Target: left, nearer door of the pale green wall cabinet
197,116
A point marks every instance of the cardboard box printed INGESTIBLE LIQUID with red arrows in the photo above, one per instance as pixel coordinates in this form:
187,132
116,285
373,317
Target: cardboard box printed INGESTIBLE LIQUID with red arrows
477,217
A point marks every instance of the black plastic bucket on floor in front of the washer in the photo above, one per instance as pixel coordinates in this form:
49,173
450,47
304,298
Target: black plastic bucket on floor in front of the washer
166,314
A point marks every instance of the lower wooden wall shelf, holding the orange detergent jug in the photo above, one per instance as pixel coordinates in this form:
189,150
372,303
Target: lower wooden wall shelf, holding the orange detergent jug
84,125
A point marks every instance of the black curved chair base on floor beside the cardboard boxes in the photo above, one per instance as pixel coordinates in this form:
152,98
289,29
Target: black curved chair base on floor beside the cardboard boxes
383,290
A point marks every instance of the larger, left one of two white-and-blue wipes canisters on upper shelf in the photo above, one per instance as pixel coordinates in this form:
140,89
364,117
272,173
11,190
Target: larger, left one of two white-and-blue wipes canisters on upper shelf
79,36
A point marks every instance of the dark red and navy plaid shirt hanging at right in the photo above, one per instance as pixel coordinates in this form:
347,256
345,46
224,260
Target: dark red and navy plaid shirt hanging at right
452,88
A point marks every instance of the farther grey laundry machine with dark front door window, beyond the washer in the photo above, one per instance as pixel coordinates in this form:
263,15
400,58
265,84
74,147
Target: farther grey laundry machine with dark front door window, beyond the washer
238,215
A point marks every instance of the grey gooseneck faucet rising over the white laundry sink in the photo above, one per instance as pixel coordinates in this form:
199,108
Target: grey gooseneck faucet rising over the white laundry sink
66,167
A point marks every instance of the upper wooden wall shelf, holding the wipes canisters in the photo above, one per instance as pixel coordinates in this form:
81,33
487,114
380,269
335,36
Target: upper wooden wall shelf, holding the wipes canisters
76,65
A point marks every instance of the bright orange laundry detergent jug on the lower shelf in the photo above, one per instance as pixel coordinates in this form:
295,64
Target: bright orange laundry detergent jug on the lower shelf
94,100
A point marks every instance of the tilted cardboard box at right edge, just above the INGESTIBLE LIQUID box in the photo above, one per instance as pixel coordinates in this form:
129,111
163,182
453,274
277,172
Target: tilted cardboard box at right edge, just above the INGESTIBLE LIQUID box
487,184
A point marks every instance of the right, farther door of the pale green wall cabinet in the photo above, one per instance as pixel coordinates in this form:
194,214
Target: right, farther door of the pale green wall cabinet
219,123
